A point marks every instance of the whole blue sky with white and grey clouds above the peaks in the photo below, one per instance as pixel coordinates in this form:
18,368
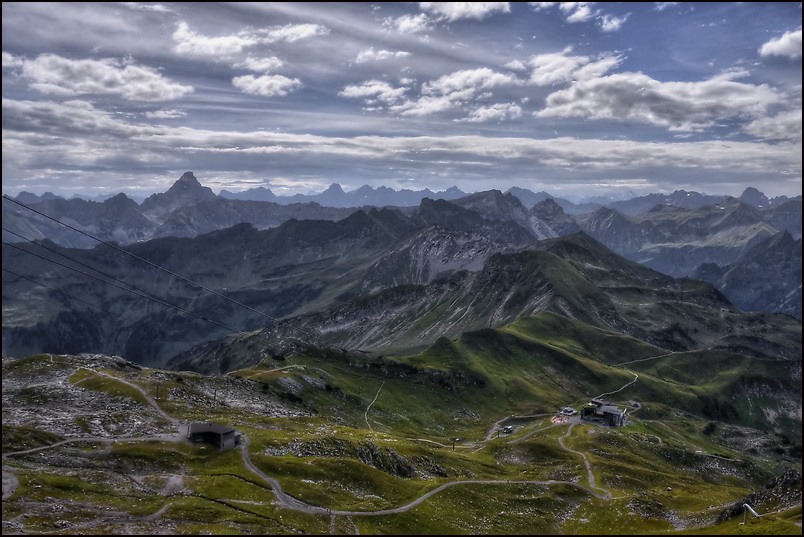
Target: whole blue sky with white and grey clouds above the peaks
574,98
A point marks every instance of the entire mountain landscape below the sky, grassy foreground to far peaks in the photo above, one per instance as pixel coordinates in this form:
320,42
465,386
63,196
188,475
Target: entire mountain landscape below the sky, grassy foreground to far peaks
430,368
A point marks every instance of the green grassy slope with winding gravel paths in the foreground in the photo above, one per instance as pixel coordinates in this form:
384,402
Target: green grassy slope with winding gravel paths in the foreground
360,432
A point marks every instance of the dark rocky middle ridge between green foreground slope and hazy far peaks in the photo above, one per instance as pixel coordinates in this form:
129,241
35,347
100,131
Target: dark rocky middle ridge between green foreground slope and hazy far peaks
438,269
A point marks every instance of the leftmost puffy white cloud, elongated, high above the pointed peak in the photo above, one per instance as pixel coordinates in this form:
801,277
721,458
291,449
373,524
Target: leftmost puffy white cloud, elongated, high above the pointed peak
55,75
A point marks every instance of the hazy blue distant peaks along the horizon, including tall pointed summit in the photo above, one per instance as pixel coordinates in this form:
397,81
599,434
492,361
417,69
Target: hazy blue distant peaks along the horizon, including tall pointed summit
677,234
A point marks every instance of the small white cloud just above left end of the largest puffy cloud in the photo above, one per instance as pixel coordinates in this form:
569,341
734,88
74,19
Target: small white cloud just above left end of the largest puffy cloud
559,67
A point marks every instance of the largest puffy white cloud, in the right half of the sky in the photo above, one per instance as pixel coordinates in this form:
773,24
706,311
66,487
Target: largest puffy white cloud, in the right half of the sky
678,106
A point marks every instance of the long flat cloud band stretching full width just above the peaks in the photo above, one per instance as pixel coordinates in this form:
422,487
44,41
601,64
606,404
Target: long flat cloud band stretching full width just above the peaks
40,138
